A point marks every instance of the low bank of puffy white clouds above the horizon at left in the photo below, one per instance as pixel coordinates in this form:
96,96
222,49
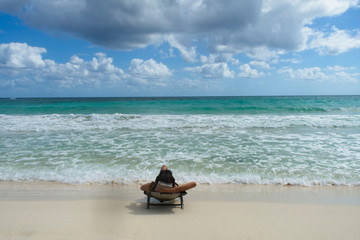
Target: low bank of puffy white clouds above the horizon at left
21,64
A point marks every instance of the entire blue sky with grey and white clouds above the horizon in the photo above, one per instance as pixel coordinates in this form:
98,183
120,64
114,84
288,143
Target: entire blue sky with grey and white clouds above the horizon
89,48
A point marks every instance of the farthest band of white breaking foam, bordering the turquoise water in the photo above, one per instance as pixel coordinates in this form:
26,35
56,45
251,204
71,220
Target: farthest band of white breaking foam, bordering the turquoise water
98,122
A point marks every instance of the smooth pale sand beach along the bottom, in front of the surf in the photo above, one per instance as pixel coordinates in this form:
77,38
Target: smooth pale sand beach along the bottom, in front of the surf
59,211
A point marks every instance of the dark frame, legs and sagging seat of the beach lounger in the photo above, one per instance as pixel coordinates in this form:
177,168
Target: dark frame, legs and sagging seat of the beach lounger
165,197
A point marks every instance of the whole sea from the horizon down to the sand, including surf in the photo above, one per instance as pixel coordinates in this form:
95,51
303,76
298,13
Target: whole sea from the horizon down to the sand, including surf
312,140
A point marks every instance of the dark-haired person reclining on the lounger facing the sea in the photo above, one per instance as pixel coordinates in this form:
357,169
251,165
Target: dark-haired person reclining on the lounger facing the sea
165,182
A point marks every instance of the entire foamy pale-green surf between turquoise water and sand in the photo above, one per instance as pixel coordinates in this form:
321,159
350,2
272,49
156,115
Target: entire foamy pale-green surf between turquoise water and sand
298,149
